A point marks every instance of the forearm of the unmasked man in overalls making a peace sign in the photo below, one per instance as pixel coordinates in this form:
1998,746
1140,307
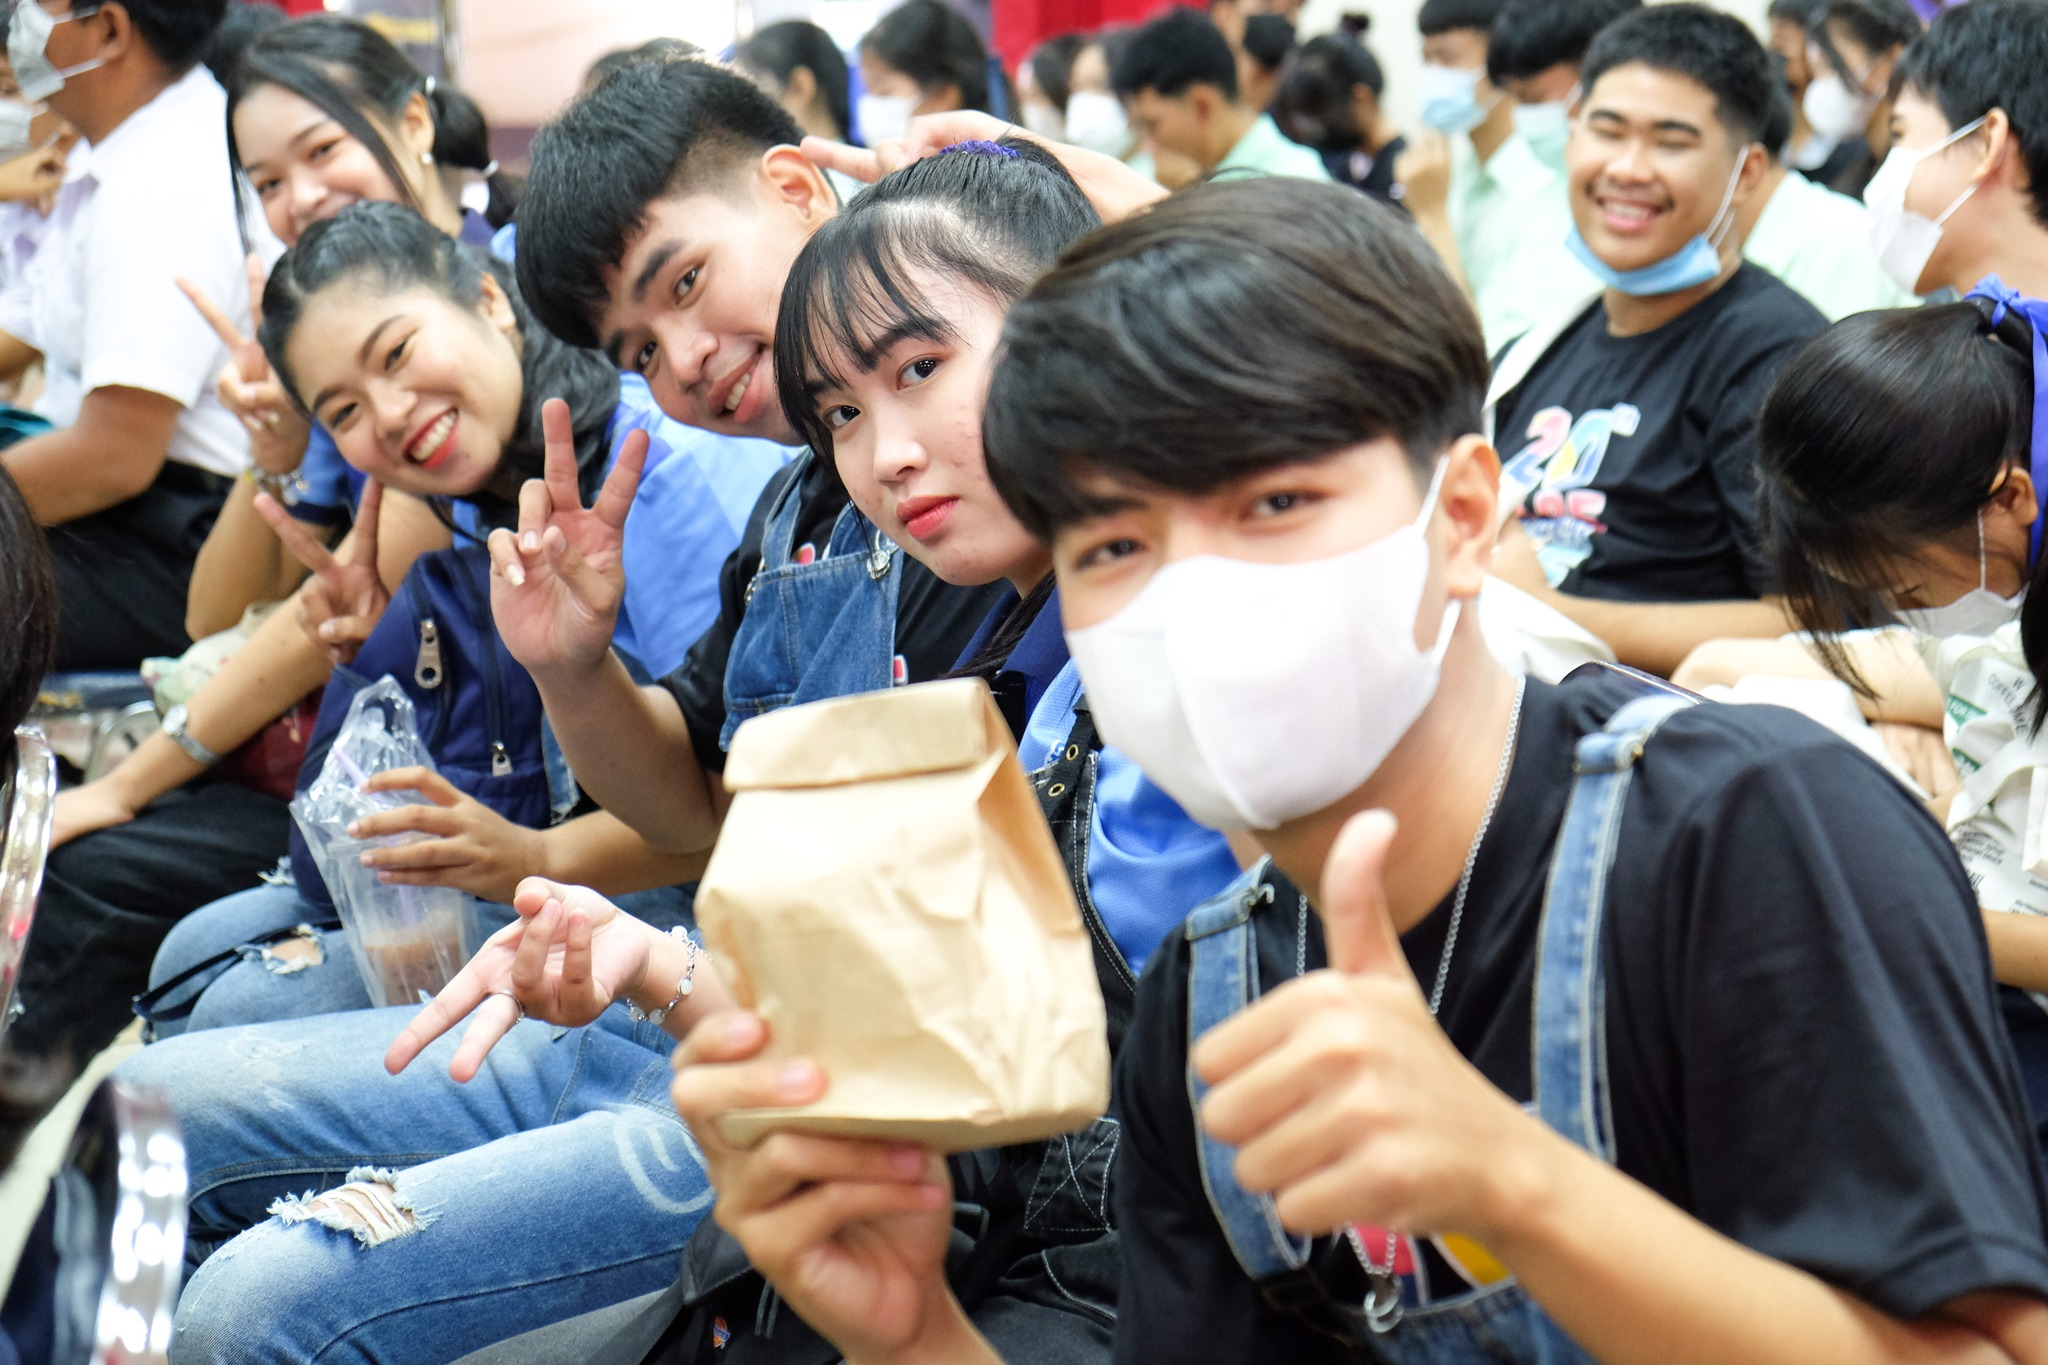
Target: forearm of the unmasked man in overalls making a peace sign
632,750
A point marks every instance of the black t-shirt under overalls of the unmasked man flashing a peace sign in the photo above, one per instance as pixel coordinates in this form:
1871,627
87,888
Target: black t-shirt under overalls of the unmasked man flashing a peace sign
935,619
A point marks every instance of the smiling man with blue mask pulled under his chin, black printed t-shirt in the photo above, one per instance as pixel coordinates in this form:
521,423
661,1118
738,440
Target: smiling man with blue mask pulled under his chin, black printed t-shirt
1627,431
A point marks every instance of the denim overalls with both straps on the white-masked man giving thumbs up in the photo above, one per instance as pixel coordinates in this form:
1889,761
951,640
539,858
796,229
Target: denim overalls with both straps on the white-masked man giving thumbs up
1498,1323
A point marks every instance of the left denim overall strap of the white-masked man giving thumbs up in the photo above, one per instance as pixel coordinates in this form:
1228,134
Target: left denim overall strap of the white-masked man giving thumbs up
1224,977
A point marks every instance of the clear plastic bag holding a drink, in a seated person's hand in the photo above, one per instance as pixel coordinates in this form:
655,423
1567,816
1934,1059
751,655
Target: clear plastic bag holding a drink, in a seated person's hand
407,940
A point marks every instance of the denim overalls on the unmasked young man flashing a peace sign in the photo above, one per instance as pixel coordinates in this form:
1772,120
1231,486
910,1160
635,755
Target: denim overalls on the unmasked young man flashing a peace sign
816,629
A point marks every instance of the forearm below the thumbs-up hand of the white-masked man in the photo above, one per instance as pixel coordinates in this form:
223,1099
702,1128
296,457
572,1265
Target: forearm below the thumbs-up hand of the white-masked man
1584,1239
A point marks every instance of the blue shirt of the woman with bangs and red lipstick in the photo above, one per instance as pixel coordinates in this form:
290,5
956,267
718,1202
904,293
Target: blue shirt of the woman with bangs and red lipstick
1148,861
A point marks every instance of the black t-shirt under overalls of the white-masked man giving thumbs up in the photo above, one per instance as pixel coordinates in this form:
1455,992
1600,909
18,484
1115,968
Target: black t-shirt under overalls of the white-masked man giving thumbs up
1803,1034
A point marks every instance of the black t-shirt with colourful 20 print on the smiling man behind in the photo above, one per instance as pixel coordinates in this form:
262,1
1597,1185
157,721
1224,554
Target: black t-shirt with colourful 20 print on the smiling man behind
1641,449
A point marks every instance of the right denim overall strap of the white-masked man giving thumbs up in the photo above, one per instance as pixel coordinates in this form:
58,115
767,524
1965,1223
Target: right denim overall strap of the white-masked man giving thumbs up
1570,1037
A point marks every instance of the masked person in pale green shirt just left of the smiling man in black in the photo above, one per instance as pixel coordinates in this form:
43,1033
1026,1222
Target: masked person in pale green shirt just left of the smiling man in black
1488,185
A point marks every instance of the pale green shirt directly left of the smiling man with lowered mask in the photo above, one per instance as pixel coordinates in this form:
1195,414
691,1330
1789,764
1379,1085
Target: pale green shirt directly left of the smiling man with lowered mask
1512,216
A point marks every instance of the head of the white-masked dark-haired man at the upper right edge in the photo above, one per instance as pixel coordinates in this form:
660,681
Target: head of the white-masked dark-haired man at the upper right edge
1965,189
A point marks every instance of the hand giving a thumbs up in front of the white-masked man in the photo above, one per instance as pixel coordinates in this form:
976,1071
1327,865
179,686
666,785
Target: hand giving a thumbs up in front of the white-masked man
1342,1096
